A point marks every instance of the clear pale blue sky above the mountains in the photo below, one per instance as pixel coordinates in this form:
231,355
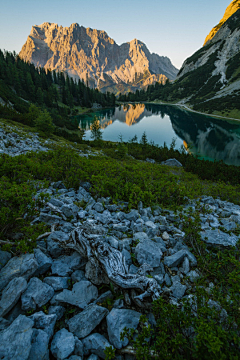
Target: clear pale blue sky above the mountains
172,28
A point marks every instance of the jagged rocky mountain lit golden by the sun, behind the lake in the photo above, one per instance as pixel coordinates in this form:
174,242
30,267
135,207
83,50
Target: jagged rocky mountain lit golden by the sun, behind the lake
93,56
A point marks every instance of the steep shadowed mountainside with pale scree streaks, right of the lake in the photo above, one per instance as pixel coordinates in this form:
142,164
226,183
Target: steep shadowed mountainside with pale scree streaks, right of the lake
209,80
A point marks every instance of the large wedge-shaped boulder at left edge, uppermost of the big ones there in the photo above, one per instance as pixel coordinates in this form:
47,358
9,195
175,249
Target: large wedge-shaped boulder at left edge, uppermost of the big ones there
24,266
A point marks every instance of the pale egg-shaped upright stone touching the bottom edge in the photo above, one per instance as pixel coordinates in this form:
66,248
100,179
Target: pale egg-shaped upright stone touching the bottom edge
63,344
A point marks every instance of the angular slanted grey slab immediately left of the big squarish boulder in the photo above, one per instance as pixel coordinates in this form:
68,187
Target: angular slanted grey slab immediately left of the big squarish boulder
84,323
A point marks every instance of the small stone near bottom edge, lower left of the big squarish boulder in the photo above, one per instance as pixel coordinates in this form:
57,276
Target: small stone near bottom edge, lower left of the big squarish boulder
96,344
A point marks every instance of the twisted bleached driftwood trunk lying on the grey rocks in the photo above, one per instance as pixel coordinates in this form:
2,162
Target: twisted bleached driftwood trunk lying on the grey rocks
112,262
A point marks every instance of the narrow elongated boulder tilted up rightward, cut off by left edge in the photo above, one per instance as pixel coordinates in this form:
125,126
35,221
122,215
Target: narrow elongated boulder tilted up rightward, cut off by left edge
11,294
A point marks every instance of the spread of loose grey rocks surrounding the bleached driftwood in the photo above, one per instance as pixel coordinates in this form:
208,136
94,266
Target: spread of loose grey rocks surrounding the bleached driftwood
52,301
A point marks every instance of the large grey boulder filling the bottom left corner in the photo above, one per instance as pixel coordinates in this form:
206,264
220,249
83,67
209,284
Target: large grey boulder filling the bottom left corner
15,341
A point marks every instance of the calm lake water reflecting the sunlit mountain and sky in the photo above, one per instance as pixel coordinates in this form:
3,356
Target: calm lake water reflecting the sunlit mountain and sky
210,138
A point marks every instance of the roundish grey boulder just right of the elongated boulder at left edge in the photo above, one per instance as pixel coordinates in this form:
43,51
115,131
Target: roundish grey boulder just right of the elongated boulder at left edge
36,294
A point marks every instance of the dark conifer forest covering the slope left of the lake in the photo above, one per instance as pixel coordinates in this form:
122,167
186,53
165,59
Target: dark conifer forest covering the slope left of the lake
22,84
